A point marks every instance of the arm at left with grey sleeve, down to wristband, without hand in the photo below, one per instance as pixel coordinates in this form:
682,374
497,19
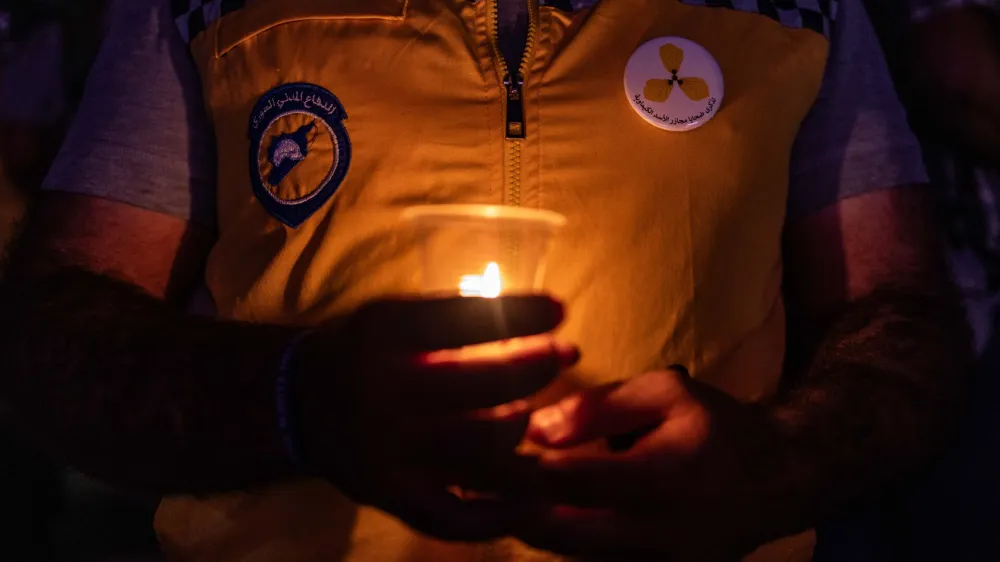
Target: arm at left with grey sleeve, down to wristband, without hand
101,366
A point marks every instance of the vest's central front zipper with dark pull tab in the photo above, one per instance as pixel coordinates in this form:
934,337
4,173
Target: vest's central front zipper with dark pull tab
513,89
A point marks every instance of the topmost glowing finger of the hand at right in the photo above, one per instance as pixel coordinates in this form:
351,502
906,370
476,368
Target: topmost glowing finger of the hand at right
609,411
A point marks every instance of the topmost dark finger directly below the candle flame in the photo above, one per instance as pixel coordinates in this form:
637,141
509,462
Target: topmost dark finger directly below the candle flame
429,324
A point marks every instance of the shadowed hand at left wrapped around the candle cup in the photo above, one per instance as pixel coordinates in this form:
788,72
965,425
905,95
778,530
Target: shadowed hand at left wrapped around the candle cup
397,407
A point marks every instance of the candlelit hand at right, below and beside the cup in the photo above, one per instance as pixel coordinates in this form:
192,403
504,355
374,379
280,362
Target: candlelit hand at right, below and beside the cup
683,479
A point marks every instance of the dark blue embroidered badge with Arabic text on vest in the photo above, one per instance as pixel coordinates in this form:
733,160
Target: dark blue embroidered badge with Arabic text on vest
299,150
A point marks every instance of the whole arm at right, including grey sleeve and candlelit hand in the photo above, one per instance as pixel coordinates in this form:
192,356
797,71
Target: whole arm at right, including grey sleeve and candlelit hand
873,378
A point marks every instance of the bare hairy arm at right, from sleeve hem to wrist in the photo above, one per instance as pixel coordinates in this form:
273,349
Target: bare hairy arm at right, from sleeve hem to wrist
883,351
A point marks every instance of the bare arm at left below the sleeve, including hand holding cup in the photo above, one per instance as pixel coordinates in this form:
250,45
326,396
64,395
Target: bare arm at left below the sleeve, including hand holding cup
101,372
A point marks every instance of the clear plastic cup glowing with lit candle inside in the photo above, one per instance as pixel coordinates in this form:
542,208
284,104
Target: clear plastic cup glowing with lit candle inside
483,250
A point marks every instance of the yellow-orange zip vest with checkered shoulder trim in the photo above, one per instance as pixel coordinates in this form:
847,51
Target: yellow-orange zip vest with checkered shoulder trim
672,253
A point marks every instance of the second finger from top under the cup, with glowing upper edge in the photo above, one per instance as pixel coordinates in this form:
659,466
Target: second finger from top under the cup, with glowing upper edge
484,376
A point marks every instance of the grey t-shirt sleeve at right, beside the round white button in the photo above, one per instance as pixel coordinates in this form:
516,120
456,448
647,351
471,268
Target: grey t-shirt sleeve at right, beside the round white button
856,138
